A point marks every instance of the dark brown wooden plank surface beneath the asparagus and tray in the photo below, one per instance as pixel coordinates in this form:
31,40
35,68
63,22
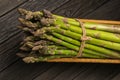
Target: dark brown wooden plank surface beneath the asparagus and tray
11,66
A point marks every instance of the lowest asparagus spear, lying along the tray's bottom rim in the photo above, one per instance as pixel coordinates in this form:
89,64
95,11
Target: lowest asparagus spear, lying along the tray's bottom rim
31,59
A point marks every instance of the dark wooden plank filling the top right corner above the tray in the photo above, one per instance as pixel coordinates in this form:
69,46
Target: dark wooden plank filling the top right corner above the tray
109,11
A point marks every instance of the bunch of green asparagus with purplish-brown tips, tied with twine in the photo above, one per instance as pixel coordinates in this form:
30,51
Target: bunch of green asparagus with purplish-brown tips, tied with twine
50,36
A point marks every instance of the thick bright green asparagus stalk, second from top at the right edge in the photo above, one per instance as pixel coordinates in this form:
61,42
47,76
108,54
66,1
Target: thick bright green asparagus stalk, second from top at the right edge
93,33
